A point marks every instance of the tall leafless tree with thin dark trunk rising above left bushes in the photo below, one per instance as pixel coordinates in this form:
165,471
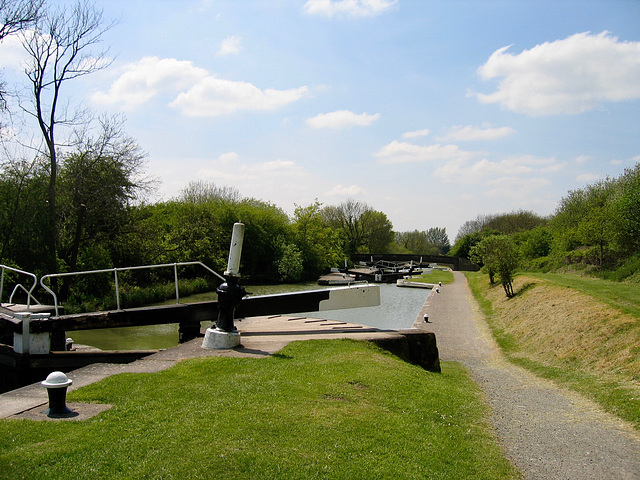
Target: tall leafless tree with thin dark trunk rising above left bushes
59,50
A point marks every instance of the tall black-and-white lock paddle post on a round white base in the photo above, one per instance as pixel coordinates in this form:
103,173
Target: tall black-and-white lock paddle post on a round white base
230,293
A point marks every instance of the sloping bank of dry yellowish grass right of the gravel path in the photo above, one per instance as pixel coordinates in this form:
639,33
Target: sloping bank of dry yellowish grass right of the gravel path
579,332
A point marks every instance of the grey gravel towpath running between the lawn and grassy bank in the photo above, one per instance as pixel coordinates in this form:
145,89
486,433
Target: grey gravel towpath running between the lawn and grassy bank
548,432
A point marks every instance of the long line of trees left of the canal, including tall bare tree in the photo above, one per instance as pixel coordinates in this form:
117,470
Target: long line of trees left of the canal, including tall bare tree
73,193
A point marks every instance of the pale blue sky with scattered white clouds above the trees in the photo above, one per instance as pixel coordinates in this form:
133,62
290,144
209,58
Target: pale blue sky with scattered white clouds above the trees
431,111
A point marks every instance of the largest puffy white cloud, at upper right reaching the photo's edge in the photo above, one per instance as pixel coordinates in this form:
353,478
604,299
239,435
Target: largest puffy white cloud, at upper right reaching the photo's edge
566,76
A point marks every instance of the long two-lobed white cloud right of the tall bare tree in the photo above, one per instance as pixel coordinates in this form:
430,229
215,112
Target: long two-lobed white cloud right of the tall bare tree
201,94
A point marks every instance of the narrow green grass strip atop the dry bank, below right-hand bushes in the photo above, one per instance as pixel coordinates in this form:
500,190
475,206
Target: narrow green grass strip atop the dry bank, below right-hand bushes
624,296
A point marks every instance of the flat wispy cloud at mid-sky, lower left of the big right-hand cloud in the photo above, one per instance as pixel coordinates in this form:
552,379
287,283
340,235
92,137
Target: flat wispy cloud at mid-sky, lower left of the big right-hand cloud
404,152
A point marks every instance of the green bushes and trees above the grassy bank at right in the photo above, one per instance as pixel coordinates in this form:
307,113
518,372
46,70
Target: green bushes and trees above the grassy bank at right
595,229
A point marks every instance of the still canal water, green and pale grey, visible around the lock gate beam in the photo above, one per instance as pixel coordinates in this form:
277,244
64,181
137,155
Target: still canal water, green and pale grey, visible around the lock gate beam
399,308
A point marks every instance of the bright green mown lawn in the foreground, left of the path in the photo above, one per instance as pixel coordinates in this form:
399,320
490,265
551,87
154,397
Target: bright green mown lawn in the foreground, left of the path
318,409
